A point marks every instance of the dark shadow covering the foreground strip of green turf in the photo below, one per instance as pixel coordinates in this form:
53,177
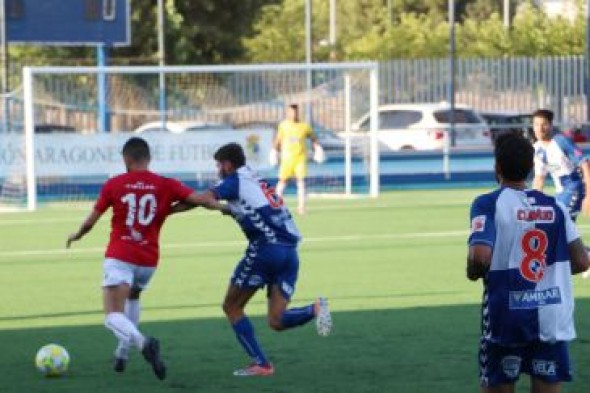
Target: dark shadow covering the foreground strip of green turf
430,349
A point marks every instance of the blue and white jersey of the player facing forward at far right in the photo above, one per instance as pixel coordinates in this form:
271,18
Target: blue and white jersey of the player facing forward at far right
561,159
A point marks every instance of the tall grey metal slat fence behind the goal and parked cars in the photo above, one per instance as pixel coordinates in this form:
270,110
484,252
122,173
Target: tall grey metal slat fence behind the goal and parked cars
515,84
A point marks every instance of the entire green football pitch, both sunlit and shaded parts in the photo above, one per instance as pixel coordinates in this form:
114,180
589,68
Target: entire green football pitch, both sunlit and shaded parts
405,317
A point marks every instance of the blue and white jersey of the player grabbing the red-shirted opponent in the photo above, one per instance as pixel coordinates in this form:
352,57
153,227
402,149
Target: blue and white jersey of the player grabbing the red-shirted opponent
260,213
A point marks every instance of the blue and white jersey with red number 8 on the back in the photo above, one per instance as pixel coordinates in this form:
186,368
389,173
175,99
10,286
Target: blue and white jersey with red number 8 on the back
528,289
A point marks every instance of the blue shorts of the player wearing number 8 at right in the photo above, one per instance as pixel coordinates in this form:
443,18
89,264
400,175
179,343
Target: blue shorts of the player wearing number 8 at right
499,364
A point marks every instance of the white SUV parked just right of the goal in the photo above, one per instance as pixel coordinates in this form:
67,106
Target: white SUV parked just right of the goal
425,126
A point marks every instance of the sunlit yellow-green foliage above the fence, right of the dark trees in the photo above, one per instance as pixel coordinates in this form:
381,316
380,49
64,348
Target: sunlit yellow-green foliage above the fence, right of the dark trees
376,29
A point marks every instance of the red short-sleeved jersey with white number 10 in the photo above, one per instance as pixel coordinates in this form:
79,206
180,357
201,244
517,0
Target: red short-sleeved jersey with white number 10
141,201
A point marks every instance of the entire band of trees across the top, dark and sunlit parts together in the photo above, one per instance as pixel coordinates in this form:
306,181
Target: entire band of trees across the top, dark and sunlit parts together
228,31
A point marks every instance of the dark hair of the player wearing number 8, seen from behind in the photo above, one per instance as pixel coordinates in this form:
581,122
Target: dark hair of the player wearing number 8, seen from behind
514,156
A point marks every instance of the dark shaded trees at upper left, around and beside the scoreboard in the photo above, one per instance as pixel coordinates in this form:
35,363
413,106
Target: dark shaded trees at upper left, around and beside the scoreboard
204,31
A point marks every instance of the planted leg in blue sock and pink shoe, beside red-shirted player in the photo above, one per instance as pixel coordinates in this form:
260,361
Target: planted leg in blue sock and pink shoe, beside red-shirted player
234,303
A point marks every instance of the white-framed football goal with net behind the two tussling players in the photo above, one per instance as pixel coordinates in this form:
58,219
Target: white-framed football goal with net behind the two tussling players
76,120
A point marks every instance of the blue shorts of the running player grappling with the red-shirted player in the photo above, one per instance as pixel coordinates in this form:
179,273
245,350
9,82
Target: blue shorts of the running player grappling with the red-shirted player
267,264
